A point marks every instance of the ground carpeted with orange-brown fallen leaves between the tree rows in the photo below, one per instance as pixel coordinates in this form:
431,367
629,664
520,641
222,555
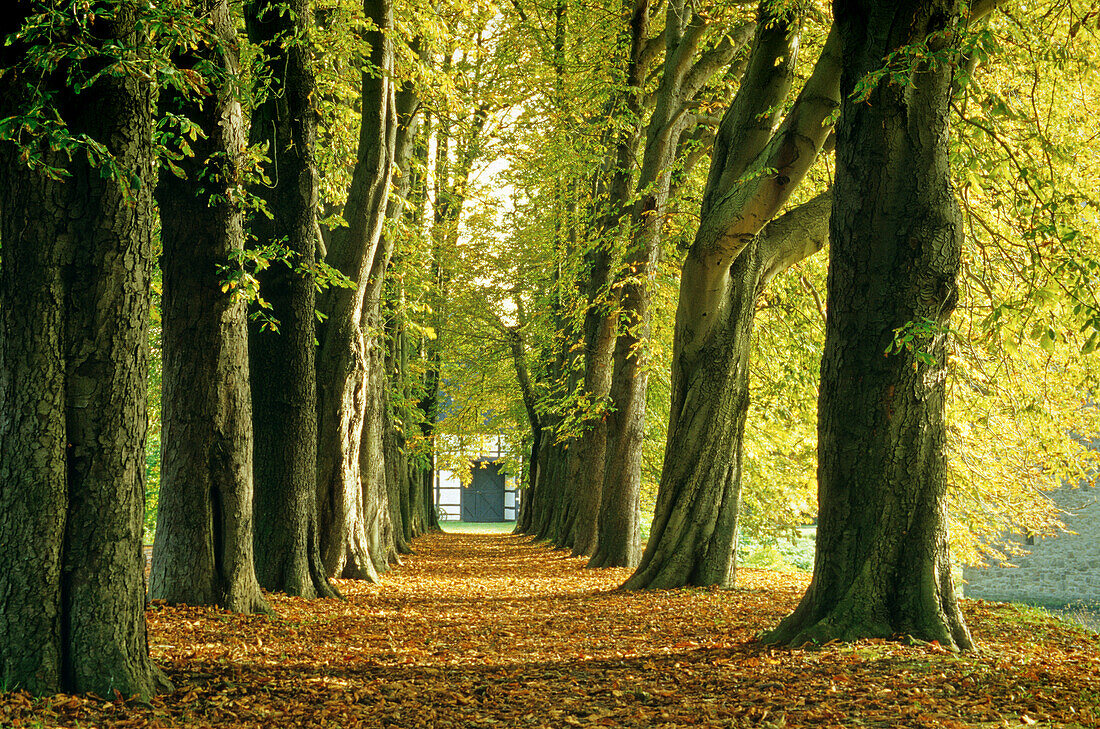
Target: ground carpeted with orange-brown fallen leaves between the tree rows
491,631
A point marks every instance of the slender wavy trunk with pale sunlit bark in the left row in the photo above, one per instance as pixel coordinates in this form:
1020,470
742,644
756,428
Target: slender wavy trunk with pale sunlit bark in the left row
346,380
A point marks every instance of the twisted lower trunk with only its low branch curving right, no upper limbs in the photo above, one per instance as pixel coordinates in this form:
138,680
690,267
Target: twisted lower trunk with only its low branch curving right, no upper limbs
694,539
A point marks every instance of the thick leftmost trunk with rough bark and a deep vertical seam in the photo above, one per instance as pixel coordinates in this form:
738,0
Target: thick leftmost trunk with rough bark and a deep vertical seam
75,282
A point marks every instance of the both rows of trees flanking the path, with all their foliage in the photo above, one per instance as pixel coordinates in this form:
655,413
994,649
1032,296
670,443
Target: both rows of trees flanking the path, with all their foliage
326,289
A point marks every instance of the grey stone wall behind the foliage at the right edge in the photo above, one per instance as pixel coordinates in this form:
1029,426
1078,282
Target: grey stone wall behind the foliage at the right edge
1054,571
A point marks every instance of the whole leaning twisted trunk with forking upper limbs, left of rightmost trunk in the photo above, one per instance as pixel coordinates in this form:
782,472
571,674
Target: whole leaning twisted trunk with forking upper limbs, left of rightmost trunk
695,532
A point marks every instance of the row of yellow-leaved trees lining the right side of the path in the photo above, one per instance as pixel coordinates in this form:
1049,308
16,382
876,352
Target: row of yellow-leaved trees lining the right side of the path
764,208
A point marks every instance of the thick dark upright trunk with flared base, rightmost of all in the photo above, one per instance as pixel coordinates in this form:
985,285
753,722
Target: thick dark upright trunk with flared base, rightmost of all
883,566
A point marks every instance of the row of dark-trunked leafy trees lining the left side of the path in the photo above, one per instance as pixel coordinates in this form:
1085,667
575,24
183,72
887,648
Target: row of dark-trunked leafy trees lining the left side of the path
294,445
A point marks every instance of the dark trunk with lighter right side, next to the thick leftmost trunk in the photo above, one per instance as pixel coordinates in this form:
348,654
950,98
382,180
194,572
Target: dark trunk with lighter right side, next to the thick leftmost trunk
203,554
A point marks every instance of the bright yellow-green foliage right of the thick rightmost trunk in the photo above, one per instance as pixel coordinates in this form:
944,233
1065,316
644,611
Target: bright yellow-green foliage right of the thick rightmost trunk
1022,378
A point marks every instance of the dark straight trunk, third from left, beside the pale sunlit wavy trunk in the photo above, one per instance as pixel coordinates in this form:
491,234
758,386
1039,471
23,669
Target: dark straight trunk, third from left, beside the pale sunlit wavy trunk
281,363
